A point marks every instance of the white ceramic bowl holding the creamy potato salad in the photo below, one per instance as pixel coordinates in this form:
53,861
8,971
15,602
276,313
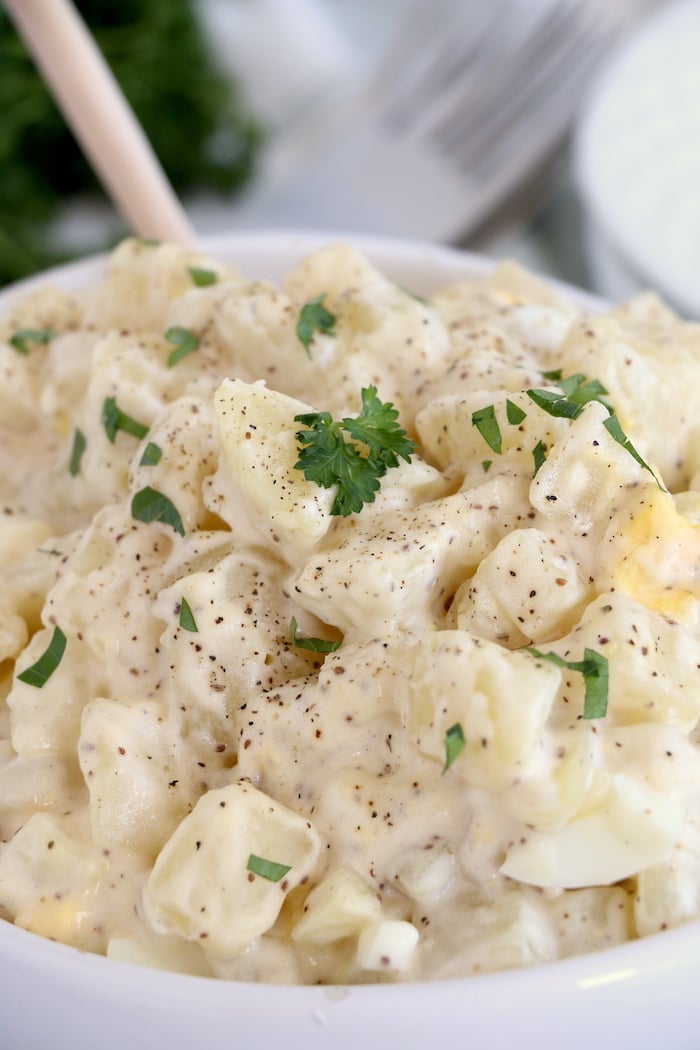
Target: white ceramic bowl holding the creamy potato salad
641,996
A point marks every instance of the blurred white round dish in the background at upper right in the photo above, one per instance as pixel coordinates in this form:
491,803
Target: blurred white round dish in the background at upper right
638,161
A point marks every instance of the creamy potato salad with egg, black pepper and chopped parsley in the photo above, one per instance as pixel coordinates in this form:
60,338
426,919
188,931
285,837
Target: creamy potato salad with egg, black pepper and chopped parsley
347,636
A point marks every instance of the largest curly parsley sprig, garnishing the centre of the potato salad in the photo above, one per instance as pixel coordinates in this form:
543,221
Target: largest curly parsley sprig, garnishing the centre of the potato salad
356,467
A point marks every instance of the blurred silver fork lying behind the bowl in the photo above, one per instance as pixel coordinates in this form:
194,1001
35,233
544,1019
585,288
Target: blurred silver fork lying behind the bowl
473,97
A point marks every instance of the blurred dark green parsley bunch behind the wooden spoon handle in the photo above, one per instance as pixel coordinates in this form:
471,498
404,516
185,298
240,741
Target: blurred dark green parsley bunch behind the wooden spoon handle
193,114
